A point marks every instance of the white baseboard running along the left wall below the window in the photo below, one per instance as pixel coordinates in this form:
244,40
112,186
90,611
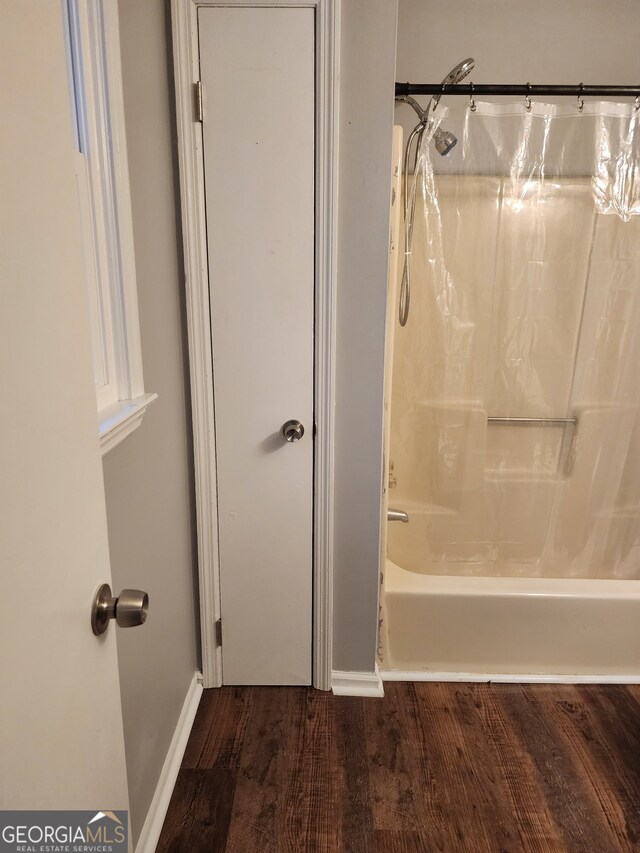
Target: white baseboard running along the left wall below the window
158,809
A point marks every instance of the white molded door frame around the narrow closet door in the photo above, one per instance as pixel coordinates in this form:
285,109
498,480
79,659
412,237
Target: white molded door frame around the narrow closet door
196,280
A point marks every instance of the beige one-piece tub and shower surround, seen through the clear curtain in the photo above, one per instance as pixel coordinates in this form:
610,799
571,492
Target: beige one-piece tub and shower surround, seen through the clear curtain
515,403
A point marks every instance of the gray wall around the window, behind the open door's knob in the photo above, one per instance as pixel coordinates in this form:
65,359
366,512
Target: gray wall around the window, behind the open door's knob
148,477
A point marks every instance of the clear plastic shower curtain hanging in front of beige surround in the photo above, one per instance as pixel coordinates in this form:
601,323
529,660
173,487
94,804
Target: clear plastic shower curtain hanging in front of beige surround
515,430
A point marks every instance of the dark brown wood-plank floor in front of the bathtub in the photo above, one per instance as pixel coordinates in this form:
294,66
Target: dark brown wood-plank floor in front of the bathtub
431,767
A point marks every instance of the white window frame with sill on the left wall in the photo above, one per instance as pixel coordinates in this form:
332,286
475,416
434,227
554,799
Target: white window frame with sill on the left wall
103,188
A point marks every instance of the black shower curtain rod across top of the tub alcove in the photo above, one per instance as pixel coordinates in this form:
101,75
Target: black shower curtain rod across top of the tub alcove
473,89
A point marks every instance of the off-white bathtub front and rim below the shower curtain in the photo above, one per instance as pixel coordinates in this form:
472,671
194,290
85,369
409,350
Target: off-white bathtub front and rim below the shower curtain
508,629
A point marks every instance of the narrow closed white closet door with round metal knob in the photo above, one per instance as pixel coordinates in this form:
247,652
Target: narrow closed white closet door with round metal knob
257,70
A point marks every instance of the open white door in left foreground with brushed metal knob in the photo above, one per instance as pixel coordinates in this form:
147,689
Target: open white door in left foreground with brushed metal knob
61,738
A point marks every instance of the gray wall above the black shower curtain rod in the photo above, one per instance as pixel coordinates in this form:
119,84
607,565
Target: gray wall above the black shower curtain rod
515,41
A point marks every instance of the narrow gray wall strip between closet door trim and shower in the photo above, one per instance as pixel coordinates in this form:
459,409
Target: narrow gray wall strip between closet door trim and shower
366,118
